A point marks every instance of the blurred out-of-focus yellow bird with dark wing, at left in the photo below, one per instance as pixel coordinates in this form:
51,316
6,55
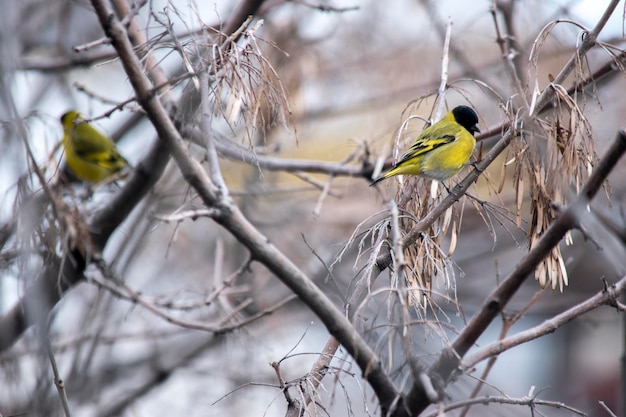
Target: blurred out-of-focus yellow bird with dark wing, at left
89,154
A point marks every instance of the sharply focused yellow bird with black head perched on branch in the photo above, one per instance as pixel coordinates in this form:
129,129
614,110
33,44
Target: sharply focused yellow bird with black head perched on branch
442,149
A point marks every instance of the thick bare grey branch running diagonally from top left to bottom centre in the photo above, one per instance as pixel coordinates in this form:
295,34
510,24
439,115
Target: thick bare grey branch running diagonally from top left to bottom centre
233,220
